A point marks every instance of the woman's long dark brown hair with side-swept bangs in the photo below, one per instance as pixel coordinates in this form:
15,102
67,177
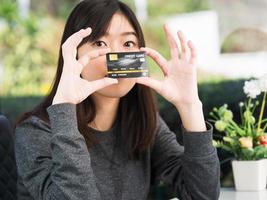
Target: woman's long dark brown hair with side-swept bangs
137,110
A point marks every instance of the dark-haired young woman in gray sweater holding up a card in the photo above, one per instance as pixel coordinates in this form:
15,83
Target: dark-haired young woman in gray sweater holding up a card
95,137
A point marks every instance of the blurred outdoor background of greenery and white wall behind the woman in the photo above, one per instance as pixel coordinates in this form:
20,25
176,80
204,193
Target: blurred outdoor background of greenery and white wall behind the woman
230,35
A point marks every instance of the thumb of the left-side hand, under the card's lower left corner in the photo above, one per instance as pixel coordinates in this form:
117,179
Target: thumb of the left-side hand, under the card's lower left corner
100,83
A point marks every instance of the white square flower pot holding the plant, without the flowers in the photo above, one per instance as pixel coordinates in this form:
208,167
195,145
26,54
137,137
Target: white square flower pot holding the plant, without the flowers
250,175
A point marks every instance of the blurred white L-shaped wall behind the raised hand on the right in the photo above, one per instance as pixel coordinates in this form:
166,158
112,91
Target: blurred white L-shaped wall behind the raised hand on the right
202,28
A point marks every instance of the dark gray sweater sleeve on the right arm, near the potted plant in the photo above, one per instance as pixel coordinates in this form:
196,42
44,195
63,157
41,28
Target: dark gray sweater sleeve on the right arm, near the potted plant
191,171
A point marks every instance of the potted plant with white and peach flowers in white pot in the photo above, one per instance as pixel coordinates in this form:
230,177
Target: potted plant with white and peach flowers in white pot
246,140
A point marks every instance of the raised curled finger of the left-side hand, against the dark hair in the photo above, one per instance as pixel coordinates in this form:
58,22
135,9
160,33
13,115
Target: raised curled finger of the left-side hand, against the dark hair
69,48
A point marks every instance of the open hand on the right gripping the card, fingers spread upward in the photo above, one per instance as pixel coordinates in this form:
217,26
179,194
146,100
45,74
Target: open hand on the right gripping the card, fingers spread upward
179,85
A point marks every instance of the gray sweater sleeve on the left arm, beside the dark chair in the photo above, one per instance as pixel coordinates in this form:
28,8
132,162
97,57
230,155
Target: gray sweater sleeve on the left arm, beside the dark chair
54,162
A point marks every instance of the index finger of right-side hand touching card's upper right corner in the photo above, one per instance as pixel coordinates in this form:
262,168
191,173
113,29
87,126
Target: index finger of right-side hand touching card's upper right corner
158,58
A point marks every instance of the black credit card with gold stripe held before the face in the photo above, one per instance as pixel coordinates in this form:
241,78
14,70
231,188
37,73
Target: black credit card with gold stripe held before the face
127,64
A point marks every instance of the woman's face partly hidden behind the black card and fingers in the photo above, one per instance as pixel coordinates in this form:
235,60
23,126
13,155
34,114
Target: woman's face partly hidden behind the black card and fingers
120,37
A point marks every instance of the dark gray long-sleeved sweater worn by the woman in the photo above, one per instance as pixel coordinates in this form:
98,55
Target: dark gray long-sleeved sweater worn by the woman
54,163
